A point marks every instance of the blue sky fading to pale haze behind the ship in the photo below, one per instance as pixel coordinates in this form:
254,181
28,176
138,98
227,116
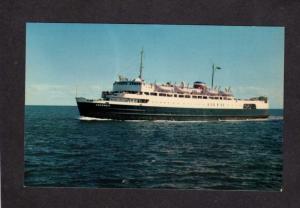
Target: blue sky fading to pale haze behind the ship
89,57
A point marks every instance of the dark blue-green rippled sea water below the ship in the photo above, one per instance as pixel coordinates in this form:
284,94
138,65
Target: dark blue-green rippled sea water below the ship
61,150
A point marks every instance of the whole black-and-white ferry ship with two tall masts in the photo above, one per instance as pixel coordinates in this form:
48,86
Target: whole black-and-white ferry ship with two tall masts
136,99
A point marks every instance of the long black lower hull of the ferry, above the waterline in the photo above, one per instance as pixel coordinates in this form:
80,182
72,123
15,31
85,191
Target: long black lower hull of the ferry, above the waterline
121,112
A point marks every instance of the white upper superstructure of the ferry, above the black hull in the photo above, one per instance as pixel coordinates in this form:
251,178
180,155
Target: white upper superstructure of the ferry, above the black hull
167,95
